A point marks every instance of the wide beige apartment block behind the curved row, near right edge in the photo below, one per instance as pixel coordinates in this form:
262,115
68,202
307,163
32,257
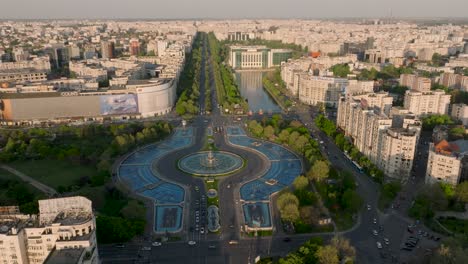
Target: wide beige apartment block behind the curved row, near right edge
423,103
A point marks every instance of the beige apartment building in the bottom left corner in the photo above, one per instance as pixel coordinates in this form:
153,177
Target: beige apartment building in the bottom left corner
63,232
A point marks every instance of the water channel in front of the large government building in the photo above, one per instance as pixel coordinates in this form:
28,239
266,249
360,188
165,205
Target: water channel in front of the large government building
251,88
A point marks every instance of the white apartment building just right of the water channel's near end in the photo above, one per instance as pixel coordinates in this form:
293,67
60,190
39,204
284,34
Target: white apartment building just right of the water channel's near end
314,89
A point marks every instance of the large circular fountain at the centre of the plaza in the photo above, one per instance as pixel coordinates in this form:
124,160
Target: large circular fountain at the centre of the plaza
211,163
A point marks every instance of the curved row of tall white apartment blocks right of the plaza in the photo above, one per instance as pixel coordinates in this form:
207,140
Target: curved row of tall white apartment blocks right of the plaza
390,148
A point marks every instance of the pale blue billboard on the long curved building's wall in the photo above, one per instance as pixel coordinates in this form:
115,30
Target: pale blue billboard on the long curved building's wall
118,104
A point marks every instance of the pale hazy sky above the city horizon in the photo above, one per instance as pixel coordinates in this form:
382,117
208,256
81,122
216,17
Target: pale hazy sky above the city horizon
173,9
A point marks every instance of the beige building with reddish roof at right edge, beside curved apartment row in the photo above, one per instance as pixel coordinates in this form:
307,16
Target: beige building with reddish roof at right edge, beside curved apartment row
447,162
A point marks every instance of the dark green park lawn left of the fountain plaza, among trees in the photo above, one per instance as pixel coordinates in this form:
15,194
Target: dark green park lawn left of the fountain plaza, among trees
54,173
